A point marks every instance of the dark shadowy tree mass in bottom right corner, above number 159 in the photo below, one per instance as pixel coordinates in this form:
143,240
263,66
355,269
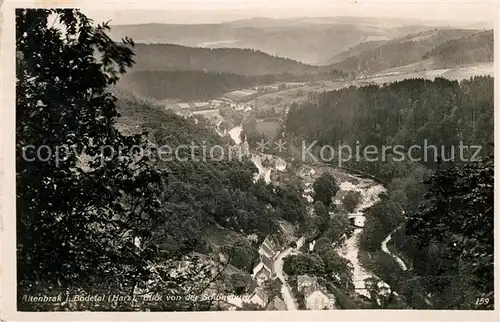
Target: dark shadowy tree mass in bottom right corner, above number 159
455,219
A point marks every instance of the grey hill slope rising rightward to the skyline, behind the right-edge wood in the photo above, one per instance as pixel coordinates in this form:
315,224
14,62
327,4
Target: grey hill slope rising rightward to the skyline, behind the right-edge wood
399,52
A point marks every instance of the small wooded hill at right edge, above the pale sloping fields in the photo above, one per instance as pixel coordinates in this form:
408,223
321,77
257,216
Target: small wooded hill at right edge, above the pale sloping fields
476,48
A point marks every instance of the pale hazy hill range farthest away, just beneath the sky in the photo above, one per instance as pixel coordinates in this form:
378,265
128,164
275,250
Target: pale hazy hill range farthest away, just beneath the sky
310,40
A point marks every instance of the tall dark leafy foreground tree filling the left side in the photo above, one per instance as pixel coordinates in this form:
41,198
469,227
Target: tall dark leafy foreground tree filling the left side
77,220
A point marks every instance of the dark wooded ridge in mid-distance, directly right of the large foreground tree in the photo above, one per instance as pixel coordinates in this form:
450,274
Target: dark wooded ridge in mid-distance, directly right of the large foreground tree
168,57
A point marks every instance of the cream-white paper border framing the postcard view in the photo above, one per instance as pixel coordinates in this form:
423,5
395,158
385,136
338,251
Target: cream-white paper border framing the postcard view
8,310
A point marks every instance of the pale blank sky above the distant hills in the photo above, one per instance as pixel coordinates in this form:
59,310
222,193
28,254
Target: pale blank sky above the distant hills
216,11
